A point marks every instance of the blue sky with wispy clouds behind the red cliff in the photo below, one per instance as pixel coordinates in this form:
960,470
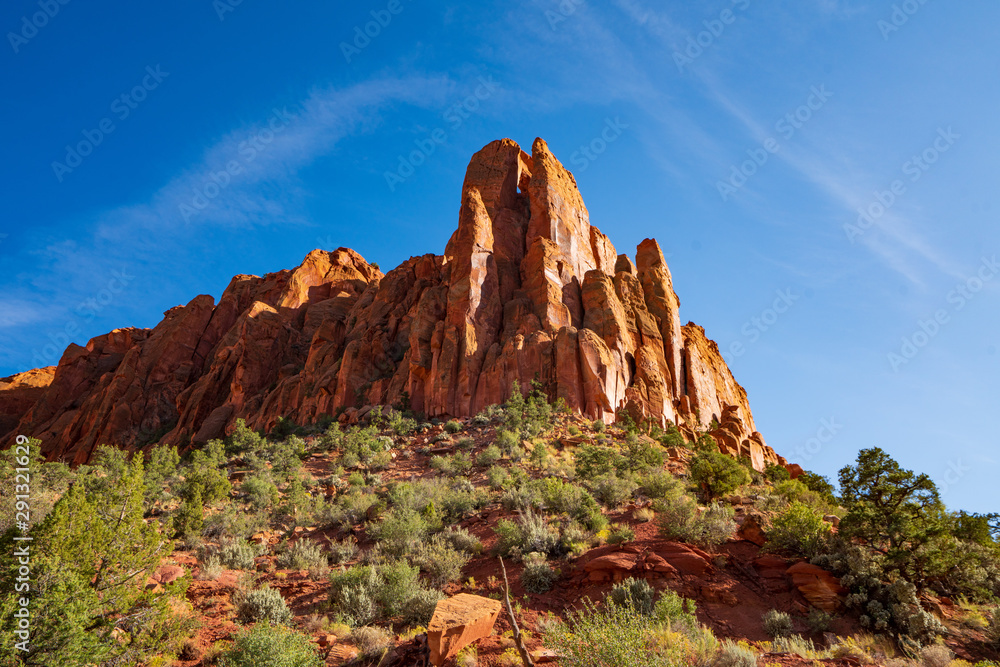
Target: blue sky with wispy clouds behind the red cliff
235,138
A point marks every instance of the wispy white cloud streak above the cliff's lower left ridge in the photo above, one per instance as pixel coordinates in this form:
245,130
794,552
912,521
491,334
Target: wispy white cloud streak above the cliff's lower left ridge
146,238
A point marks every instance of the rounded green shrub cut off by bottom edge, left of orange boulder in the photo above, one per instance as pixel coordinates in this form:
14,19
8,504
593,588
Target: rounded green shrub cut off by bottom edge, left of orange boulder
266,645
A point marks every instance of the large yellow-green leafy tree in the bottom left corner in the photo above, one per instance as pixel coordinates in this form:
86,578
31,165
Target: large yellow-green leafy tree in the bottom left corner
91,557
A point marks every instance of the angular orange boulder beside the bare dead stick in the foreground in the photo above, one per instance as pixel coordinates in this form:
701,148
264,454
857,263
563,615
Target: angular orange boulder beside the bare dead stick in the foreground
457,622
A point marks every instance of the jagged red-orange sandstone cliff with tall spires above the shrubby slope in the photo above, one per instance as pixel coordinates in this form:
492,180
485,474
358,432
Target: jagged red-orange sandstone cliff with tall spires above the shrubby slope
527,288
